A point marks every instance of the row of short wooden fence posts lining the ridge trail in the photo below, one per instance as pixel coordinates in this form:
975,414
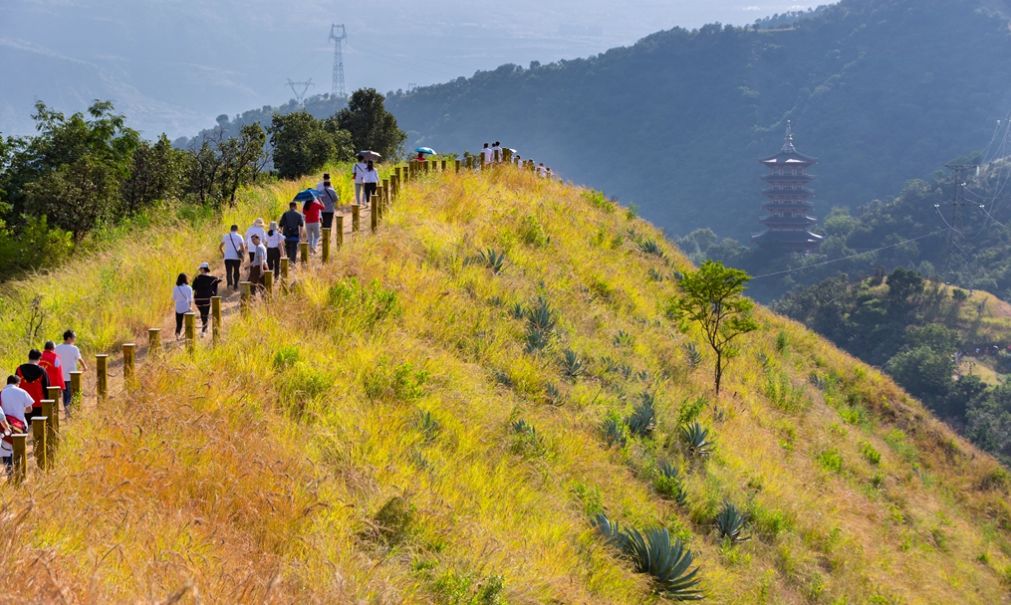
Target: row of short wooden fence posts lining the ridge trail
46,430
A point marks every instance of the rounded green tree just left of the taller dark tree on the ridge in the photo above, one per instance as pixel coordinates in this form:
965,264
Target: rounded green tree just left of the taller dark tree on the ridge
302,144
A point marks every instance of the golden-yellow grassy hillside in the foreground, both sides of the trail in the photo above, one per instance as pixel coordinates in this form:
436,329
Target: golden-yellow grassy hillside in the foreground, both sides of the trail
357,441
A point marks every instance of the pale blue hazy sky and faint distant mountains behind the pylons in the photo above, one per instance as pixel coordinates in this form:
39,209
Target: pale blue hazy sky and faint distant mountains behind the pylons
174,65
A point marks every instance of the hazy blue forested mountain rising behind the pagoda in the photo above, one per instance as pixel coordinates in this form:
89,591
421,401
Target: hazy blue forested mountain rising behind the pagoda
880,92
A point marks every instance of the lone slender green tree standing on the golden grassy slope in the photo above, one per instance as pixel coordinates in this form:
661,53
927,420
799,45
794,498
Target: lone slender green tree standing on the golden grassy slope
713,298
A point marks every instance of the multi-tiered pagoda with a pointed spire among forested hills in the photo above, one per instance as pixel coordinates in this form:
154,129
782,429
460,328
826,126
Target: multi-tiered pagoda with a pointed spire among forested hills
789,222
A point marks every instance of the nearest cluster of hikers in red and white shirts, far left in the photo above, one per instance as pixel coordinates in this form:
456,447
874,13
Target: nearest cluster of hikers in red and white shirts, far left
22,397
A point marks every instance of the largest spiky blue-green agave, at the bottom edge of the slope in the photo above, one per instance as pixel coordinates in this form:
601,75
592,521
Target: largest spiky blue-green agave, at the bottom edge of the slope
668,562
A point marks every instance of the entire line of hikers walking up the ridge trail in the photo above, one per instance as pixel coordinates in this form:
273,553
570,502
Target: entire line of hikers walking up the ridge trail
261,245
